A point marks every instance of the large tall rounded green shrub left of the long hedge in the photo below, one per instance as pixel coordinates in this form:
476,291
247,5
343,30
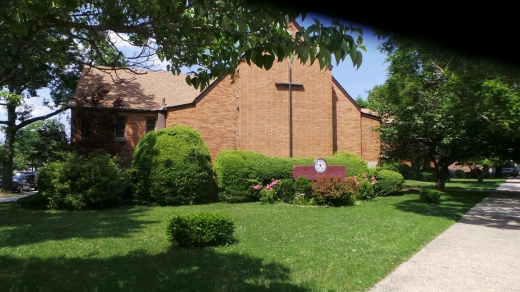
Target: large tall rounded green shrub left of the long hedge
171,166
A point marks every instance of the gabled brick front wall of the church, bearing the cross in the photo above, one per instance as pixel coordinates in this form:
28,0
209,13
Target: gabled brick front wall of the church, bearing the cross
253,114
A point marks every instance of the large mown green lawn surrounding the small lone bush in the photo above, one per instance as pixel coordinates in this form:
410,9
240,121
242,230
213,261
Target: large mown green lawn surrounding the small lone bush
279,247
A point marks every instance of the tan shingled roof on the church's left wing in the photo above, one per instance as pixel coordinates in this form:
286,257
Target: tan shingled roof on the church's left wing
138,90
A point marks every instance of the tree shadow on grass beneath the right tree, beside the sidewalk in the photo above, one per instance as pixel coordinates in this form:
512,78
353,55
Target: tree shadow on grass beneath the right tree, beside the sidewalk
453,205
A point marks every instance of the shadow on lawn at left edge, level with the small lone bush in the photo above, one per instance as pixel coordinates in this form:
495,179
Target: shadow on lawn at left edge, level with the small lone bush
21,226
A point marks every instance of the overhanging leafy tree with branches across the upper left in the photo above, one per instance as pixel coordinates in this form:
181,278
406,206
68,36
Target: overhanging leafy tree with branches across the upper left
46,44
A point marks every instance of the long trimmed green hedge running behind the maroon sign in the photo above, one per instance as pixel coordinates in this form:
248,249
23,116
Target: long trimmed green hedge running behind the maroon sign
237,171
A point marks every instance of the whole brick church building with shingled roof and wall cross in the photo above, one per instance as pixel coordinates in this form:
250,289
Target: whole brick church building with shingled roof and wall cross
291,110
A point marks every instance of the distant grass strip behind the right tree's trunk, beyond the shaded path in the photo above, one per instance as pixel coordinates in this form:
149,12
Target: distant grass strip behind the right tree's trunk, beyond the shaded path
489,184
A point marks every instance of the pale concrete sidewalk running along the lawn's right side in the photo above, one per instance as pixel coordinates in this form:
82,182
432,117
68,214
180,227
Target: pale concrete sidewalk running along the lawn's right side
481,252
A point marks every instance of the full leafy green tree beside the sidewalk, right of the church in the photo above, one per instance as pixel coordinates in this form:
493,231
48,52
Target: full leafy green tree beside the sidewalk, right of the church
444,105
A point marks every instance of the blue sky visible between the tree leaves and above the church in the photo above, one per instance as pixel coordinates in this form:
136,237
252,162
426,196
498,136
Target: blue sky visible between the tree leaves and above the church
356,82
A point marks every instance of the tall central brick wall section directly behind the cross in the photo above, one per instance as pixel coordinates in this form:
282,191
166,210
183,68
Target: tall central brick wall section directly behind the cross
264,110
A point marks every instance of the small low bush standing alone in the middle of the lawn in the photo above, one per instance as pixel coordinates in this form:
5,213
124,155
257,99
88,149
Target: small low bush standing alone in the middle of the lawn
200,229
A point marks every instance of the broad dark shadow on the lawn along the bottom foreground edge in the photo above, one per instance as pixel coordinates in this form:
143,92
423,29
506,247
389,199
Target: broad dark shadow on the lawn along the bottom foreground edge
175,270
